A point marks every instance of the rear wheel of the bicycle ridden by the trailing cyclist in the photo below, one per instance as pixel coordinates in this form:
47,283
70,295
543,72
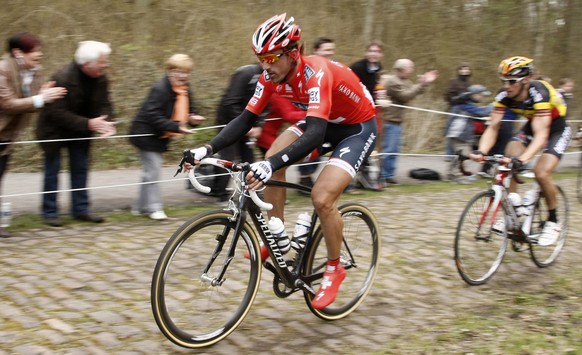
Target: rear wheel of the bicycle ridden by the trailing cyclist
546,256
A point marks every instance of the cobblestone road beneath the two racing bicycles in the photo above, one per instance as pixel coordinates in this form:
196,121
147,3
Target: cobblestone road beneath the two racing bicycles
85,289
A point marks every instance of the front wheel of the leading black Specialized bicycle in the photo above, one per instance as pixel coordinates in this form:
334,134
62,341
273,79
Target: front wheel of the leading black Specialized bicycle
194,308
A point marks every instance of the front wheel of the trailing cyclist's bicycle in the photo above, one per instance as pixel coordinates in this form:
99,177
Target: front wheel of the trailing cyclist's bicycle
479,249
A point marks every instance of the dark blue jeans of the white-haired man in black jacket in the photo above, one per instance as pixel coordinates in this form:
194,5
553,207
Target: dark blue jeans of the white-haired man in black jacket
79,168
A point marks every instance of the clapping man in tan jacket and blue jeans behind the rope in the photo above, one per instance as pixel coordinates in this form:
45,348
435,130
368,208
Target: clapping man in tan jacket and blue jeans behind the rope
401,90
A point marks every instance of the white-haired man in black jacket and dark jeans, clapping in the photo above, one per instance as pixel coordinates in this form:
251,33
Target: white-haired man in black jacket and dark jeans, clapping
85,110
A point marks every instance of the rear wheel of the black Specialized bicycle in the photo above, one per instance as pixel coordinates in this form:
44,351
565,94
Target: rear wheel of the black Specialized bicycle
360,255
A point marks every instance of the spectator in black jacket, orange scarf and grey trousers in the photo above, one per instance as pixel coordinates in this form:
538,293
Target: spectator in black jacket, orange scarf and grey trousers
166,112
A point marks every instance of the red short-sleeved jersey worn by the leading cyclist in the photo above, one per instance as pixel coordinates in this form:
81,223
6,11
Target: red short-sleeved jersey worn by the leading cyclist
325,89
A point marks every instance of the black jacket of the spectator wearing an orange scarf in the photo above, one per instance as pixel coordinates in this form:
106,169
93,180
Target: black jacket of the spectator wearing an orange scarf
154,117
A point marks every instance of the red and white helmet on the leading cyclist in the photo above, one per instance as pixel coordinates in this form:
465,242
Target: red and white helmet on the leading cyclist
275,33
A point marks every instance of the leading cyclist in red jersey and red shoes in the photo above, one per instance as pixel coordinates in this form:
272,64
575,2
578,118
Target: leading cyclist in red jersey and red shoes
340,118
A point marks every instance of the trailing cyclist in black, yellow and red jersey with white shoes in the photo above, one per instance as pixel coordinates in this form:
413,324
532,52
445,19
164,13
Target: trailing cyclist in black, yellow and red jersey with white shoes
546,130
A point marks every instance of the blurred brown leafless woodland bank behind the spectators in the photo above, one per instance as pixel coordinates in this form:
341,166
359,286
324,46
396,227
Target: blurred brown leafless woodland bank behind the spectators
434,33
